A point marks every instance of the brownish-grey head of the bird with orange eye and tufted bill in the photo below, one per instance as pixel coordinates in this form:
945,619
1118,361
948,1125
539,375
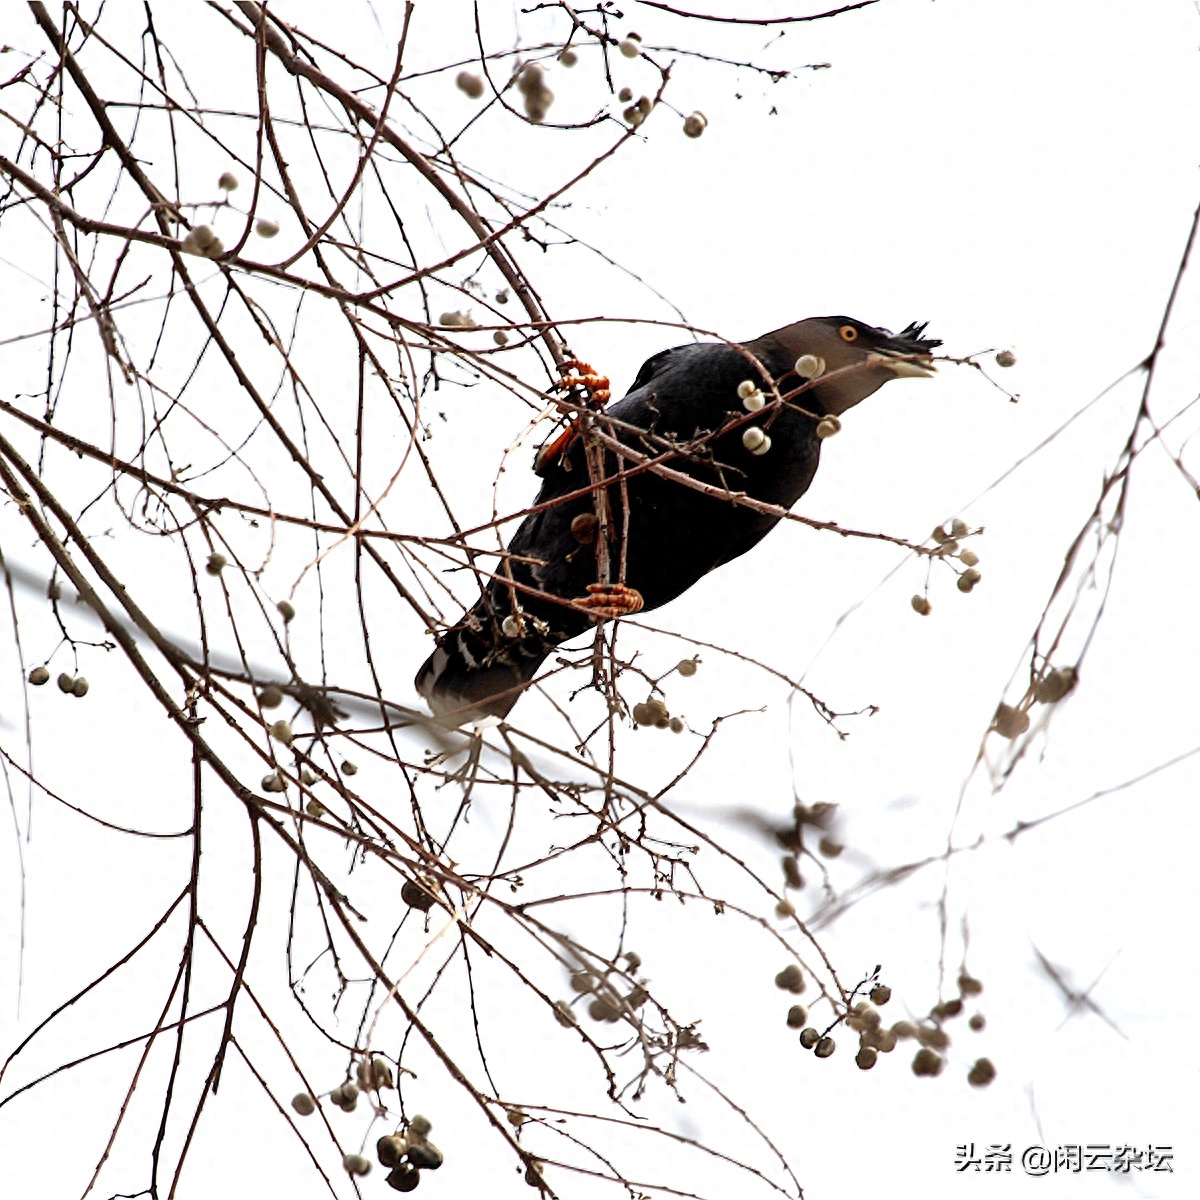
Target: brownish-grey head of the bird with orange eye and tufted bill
823,346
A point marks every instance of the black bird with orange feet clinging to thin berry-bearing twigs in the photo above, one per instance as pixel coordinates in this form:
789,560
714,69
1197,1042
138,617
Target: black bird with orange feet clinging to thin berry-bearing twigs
689,471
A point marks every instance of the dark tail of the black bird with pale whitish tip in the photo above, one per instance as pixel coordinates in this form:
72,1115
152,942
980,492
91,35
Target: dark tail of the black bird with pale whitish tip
476,674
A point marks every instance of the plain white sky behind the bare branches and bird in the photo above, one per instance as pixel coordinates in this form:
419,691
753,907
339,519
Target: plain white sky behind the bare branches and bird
1015,173
